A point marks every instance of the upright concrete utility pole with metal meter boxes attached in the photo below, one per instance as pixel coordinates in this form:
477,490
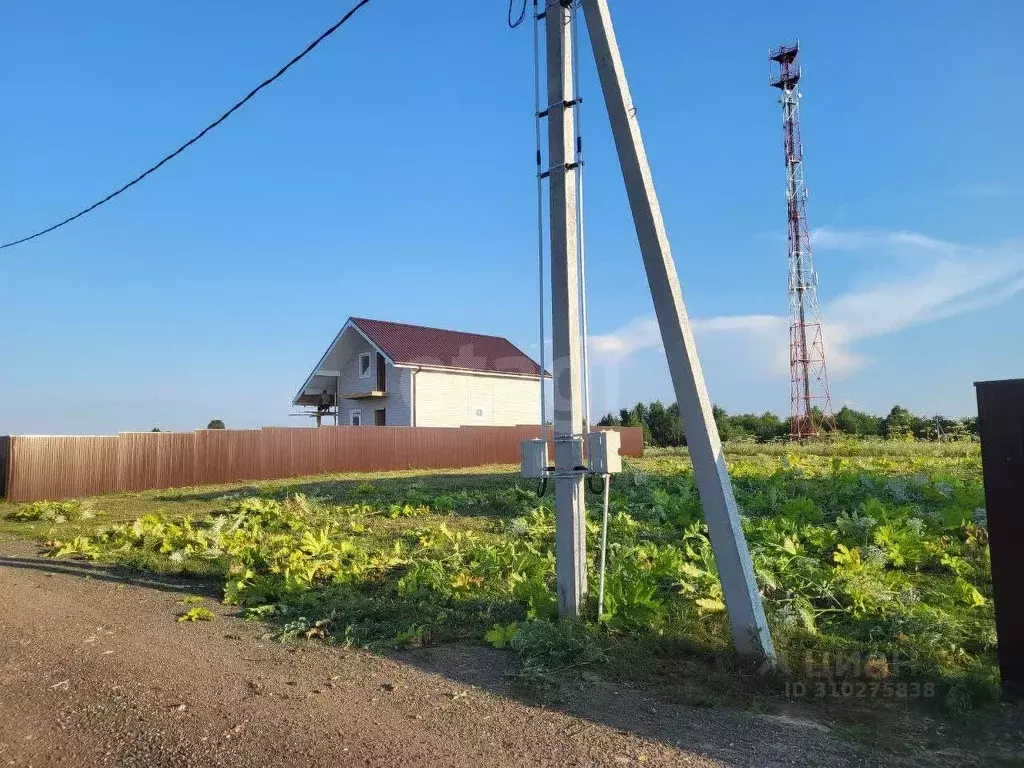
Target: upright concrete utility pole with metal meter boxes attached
571,543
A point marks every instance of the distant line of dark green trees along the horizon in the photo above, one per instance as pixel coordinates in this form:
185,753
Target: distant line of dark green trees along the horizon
663,425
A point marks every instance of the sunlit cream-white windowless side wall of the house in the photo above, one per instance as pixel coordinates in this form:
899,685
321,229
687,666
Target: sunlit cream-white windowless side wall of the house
452,400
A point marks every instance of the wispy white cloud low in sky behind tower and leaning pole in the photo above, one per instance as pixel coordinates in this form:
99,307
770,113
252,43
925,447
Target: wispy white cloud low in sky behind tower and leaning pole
953,280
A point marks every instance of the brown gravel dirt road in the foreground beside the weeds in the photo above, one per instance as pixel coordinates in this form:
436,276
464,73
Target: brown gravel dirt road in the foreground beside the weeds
96,671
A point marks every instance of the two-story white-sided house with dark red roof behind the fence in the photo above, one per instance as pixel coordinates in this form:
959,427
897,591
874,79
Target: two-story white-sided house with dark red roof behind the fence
393,374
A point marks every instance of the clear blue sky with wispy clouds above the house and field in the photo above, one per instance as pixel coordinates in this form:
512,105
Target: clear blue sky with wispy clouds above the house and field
391,176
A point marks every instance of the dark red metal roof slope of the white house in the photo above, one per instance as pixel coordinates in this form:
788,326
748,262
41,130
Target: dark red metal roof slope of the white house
416,346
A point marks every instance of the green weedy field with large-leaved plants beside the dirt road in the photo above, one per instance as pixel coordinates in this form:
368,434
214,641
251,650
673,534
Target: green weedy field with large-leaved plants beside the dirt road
873,562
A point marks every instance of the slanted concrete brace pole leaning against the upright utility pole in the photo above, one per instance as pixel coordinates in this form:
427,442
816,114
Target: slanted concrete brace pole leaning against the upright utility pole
750,630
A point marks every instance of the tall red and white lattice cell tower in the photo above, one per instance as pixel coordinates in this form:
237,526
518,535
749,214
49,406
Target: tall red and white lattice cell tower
810,404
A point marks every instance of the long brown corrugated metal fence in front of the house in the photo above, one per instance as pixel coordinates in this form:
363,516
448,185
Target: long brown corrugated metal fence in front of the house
72,467
